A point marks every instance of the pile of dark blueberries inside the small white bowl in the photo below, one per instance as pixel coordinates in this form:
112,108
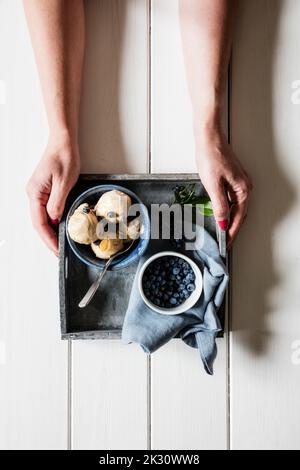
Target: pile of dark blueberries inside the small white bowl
168,281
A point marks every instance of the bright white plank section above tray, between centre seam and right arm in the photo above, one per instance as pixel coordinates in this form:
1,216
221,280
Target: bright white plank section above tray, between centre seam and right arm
172,143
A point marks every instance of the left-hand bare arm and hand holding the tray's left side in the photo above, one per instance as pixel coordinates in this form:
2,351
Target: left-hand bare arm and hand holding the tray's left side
57,33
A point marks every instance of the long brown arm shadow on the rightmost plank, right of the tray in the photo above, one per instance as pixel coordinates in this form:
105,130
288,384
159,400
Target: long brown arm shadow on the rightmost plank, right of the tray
255,274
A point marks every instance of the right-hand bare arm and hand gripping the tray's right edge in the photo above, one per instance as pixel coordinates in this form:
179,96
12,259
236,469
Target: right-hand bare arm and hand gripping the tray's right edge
206,33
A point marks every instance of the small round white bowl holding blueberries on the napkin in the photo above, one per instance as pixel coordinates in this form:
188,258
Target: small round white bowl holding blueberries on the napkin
188,303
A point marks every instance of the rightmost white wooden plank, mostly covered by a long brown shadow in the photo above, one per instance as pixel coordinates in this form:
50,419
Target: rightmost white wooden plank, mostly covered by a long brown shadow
265,132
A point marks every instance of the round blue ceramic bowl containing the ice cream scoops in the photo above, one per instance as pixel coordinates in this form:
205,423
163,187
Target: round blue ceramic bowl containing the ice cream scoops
85,253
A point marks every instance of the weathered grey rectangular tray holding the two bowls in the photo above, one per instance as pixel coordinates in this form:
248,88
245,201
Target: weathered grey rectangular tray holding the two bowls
103,317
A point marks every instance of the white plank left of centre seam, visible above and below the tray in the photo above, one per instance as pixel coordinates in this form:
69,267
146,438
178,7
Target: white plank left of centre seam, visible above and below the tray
109,378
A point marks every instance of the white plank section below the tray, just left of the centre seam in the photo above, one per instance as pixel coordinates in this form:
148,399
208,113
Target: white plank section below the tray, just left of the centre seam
109,396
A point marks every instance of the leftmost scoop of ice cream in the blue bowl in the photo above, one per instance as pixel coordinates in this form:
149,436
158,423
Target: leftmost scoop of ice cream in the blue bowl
82,225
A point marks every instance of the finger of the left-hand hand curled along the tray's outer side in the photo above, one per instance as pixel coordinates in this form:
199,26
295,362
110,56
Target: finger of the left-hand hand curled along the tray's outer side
40,223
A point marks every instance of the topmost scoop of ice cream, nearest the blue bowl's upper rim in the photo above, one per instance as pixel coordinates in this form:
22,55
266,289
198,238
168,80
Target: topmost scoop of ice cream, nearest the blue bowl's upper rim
113,206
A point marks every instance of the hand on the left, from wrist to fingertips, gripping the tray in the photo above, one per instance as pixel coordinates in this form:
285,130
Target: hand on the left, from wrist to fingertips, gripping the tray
49,186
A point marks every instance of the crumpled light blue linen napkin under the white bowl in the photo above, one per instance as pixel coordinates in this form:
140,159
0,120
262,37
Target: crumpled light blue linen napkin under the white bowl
199,326
